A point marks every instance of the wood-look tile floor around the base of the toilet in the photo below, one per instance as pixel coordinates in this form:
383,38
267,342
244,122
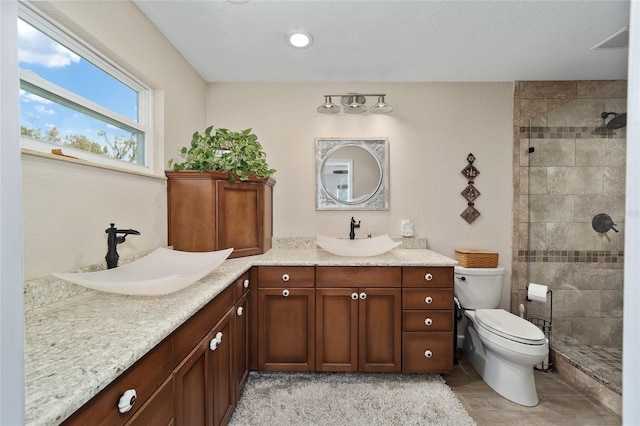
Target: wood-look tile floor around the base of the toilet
559,402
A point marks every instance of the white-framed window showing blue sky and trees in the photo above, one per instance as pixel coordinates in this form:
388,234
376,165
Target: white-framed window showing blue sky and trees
74,99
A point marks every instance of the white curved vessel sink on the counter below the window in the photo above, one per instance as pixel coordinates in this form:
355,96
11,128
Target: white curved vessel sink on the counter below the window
161,272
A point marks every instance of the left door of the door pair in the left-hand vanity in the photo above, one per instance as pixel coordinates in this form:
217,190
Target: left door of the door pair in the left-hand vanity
191,402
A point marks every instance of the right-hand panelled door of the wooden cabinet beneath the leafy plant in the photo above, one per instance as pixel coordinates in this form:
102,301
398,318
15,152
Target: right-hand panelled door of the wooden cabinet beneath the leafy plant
240,217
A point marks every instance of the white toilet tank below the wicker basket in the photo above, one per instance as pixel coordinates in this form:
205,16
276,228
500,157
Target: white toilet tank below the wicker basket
478,288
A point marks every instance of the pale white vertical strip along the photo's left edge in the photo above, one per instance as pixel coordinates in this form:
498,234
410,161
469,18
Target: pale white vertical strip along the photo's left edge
11,312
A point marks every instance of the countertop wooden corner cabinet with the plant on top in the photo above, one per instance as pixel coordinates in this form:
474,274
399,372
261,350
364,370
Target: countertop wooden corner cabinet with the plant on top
207,212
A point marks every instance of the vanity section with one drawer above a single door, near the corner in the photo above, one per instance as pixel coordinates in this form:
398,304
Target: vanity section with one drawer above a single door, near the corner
286,310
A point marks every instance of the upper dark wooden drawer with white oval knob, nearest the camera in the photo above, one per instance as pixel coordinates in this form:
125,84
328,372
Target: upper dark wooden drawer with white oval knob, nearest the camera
145,377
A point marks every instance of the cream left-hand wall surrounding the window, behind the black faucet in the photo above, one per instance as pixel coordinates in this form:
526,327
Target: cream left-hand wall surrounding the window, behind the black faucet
67,206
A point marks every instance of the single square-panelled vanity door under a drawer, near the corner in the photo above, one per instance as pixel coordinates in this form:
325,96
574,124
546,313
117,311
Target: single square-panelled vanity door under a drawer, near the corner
286,329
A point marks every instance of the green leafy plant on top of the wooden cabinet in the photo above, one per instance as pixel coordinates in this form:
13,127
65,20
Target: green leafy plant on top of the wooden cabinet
238,153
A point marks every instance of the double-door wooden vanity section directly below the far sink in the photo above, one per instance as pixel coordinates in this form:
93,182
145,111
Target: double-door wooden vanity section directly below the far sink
358,319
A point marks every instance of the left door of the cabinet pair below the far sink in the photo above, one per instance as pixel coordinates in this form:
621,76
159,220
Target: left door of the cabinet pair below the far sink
337,329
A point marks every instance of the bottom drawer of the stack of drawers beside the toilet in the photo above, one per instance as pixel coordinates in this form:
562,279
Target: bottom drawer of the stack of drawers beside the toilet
425,352
